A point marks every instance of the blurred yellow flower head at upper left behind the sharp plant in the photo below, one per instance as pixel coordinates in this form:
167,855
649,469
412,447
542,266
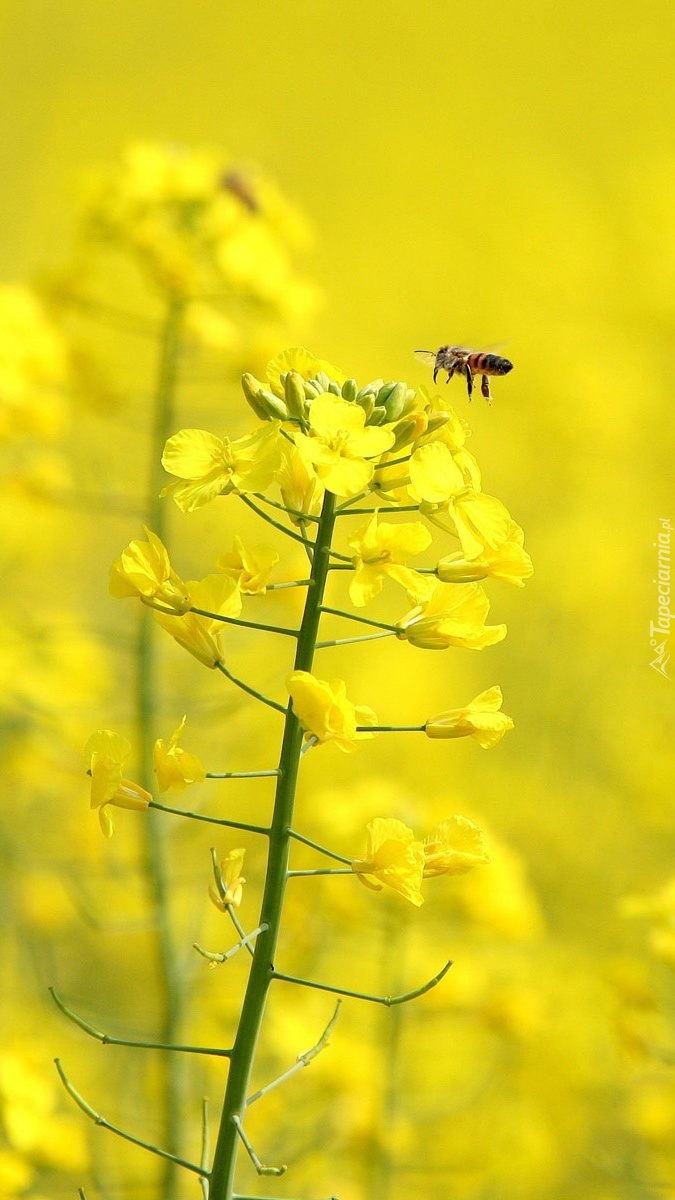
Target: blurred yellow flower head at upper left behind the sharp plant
196,224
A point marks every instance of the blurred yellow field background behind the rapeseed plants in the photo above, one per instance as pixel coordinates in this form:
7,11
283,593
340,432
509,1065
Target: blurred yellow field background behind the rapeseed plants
477,176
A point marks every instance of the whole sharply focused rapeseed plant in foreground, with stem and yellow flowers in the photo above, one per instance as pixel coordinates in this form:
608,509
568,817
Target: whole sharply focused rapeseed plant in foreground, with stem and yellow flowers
325,443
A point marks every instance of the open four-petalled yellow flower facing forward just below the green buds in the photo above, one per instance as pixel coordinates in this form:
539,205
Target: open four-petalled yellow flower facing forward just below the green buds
341,445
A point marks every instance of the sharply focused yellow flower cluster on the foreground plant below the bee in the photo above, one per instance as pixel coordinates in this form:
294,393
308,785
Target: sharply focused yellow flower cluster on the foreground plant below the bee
321,440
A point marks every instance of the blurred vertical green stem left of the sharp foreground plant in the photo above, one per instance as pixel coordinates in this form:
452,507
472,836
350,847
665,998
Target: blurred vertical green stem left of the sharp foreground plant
156,851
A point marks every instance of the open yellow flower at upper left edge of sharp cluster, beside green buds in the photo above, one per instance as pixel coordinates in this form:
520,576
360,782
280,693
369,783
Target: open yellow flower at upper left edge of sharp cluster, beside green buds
208,466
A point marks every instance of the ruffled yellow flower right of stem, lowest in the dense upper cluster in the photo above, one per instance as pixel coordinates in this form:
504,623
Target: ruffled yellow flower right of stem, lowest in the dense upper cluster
455,615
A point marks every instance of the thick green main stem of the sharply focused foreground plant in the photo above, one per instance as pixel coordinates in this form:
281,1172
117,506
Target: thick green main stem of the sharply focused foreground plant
262,967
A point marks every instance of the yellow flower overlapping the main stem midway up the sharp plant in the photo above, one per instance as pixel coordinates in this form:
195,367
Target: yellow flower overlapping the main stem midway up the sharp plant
326,713
